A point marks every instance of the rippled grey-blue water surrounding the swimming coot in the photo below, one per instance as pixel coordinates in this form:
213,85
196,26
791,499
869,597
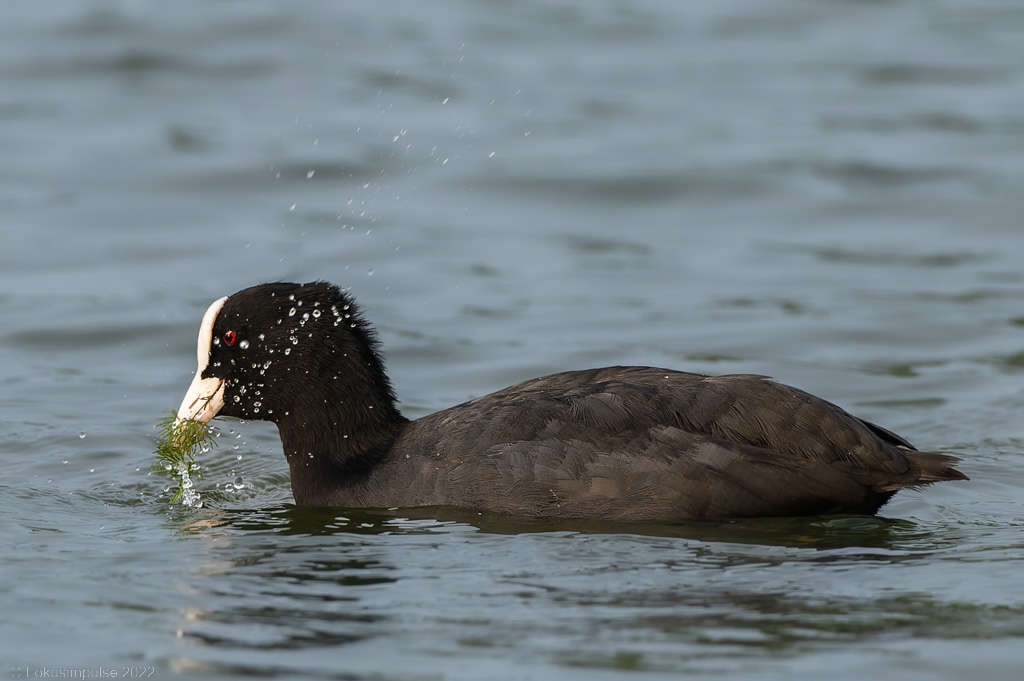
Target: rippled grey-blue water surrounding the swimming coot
829,193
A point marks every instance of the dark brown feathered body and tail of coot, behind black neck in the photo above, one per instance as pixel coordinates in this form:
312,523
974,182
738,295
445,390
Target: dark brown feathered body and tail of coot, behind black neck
641,443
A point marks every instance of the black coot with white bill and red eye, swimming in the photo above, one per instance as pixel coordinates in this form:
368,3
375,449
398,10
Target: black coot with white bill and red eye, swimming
621,443
